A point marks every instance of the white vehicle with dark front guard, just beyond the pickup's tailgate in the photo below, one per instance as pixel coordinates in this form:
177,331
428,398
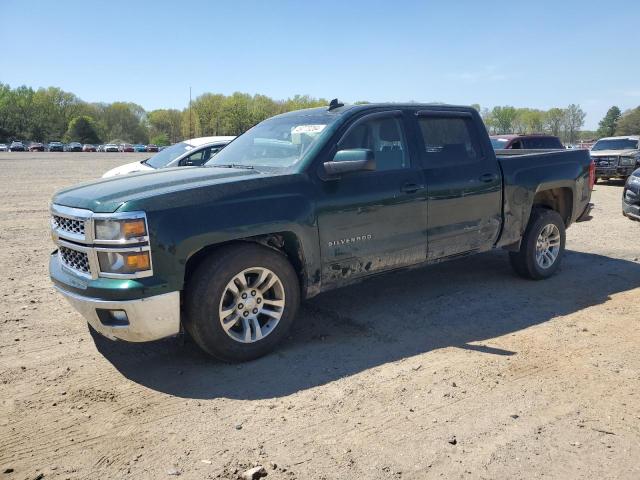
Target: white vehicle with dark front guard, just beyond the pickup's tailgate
616,157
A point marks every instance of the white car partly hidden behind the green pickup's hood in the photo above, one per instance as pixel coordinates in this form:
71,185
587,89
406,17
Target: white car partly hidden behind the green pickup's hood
193,152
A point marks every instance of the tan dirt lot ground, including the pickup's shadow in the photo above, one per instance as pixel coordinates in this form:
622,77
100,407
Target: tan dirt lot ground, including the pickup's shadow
456,371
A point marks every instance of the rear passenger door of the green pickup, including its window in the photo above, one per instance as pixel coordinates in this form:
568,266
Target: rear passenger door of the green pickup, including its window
464,185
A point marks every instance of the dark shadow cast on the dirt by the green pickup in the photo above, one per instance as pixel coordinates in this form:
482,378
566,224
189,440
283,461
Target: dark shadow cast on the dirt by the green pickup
388,318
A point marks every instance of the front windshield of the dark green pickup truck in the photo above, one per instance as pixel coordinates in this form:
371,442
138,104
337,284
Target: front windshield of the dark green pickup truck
277,142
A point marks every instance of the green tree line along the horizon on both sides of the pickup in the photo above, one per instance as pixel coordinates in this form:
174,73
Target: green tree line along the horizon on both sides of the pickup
48,114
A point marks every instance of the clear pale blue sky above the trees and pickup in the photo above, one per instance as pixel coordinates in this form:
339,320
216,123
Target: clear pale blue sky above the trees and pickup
536,54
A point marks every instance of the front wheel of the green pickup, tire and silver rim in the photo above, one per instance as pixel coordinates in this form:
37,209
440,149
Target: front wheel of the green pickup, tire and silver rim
209,294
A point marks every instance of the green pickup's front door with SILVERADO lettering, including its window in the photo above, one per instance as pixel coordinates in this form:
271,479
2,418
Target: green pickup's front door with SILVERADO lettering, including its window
373,220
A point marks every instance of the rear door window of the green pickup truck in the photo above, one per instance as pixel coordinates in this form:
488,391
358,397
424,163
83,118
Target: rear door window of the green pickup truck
448,140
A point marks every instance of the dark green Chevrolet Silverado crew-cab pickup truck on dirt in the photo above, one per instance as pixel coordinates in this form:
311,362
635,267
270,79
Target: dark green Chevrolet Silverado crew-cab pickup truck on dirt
305,202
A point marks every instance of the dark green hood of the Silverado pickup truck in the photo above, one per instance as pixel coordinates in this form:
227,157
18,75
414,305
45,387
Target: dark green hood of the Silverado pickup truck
109,194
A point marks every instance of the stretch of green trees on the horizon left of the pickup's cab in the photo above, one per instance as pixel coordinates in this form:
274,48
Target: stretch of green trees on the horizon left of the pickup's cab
50,114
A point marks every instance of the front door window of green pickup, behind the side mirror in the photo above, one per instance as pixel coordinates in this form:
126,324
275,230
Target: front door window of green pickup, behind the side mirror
385,136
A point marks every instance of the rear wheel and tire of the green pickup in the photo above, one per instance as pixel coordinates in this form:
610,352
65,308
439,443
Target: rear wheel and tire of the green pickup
527,262
